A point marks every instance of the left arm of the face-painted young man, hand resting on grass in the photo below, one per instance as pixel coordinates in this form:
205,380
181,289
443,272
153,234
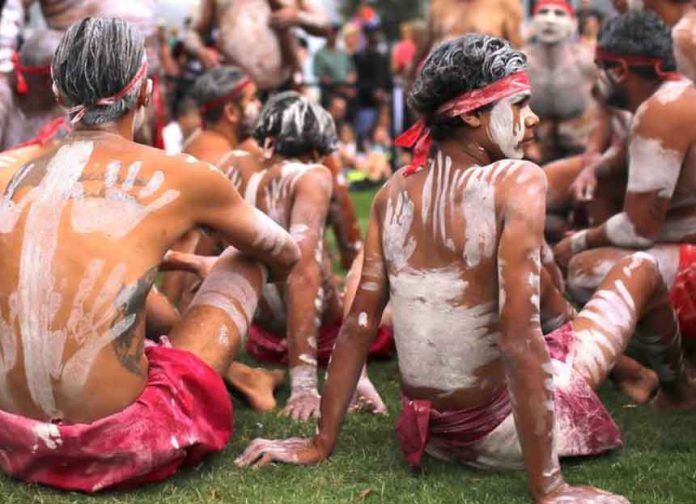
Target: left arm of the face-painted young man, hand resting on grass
349,355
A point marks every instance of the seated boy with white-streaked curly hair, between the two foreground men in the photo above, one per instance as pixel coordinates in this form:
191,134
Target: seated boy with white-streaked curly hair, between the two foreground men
297,323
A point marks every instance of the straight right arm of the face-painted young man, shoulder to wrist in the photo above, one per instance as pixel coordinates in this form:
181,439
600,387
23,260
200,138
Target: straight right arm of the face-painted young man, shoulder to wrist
527,364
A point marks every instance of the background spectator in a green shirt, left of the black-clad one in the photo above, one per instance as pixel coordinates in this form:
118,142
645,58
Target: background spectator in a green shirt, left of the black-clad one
335,69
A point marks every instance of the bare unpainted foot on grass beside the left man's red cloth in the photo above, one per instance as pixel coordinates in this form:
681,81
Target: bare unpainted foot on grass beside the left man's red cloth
257,385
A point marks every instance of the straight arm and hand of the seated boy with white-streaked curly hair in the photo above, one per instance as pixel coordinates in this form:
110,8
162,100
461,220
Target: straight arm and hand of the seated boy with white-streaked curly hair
305,296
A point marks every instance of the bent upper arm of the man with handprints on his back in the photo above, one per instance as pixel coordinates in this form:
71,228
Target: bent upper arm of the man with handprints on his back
217,205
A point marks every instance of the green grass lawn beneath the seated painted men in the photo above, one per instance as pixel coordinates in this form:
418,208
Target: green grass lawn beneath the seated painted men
658,464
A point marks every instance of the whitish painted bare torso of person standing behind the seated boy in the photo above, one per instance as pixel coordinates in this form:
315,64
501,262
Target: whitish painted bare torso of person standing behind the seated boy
247,40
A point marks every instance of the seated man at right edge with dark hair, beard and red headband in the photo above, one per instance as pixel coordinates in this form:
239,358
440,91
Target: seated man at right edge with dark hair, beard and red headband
659,212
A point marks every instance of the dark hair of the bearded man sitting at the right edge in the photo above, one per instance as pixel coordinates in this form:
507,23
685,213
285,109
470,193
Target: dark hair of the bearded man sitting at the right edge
639,34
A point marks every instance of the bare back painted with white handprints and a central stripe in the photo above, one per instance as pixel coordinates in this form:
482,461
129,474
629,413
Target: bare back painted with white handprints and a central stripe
83,229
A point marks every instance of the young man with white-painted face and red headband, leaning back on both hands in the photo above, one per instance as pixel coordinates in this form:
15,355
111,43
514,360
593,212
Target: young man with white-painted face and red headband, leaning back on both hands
455,243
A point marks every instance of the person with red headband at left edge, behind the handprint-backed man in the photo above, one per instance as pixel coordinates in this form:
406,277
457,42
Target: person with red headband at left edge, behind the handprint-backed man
28,109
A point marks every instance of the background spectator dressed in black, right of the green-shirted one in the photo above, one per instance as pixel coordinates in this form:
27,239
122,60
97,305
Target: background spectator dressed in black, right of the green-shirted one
374,84
